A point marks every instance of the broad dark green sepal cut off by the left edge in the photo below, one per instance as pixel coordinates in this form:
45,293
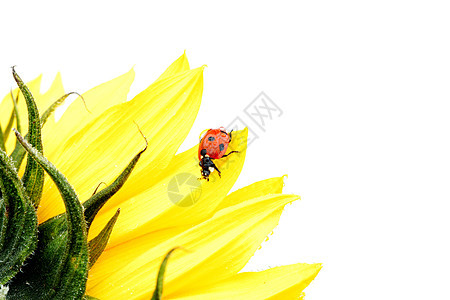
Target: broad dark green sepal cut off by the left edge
20,236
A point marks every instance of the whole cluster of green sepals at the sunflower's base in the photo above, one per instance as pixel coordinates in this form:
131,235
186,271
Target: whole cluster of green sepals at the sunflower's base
50,260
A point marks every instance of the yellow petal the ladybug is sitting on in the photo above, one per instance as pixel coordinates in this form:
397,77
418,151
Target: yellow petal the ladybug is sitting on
154,208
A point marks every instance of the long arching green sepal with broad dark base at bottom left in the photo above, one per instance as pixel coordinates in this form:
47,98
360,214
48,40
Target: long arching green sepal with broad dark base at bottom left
65,256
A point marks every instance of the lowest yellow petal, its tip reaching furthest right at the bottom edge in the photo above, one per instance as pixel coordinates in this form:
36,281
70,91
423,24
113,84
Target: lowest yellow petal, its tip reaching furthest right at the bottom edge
284,283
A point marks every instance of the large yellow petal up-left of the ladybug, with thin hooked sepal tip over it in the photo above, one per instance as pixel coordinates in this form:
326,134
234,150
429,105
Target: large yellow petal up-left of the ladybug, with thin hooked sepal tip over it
165,111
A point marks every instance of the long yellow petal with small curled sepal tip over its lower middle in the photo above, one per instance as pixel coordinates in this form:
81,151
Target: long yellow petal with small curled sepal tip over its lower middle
220,247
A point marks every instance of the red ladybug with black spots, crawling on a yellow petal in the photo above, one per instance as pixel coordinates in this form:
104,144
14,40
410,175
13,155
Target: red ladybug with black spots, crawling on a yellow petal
213,145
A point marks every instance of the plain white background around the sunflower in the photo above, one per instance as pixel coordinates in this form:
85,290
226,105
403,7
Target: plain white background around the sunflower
364,134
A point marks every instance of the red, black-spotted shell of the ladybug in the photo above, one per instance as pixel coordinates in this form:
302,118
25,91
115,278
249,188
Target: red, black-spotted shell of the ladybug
215,141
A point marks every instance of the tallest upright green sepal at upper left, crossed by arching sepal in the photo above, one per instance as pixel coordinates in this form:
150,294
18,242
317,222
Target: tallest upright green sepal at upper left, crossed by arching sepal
33,178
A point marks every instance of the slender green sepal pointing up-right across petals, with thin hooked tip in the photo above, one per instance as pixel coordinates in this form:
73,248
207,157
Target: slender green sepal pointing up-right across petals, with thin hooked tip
96,201
